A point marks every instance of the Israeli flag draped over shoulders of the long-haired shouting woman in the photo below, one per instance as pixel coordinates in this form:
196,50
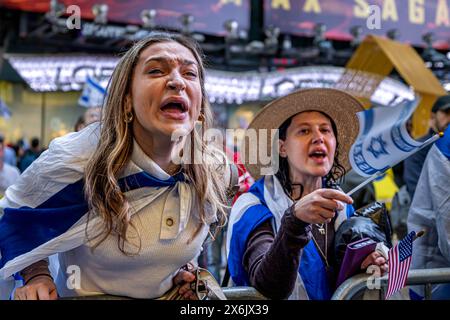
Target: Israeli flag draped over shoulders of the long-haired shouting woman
45,212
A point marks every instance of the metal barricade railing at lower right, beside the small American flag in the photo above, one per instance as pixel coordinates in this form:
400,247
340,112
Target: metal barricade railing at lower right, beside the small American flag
426,277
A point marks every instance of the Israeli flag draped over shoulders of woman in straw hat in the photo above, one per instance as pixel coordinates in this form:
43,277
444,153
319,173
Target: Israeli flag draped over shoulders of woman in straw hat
266,200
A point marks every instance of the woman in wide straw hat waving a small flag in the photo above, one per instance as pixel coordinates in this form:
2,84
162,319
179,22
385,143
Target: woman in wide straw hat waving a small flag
281,233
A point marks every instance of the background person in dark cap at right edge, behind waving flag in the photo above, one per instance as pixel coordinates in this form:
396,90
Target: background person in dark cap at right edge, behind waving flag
439,120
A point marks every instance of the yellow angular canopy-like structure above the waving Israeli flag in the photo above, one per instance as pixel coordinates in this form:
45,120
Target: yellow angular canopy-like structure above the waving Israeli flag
381,55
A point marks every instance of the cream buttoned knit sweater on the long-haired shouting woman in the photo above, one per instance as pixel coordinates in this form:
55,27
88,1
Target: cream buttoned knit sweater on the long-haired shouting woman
106,270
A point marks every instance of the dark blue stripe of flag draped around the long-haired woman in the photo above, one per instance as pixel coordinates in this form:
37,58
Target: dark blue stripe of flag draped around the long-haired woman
24,229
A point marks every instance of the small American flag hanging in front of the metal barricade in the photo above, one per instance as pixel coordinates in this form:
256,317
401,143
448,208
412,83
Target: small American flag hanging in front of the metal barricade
399,262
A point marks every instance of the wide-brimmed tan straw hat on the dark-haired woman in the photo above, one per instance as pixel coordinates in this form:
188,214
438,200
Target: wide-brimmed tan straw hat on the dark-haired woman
338,105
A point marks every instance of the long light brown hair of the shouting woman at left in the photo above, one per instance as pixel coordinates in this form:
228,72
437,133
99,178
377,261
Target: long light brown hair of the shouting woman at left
115,146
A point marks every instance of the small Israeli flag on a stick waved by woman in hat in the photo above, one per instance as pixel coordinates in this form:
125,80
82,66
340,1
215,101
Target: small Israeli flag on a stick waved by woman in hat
383,140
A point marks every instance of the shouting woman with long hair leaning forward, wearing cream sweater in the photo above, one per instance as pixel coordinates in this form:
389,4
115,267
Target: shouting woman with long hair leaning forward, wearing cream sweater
123,216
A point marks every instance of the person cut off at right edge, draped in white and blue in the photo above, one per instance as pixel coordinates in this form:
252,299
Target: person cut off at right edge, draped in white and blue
430,211
